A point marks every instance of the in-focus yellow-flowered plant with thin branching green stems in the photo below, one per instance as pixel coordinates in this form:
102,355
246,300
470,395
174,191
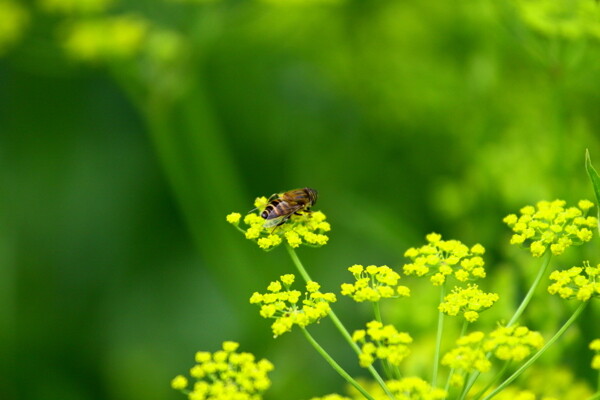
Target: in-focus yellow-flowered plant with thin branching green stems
499,355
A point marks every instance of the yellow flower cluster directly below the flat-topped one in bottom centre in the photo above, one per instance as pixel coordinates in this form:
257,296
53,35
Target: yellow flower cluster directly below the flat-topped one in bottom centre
382,342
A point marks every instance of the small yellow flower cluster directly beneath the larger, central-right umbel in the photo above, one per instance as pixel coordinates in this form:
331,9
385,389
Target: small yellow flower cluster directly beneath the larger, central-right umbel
469,301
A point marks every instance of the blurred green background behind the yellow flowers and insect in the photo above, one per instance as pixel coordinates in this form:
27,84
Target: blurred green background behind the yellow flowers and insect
129,129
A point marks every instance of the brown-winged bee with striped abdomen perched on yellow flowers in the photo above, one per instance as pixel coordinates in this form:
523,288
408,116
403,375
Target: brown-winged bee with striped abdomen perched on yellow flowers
282,206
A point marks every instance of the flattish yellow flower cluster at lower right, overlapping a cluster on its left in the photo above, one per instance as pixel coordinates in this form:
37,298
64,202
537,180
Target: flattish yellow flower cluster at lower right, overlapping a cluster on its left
513,342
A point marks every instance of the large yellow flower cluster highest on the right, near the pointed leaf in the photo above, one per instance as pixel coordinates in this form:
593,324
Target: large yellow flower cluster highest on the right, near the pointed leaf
551,225
